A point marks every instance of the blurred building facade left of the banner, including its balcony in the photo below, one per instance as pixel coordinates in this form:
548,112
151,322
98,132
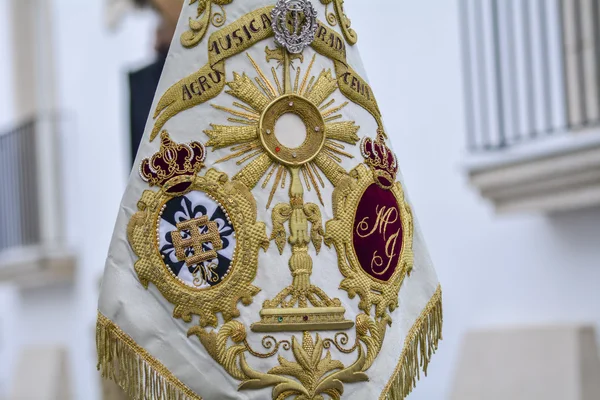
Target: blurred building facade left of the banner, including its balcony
64,140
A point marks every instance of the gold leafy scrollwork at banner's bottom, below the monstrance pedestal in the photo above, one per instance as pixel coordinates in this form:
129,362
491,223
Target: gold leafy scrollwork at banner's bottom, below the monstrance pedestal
312,374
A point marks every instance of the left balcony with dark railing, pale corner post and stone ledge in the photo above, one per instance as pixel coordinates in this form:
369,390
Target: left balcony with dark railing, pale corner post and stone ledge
33,251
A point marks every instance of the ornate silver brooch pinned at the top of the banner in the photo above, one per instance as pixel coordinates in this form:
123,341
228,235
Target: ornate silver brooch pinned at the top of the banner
294,24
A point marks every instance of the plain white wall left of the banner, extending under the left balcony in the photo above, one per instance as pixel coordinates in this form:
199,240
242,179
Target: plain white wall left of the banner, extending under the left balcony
92,65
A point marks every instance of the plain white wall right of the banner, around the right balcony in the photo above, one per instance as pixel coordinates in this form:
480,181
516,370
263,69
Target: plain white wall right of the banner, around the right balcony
522,269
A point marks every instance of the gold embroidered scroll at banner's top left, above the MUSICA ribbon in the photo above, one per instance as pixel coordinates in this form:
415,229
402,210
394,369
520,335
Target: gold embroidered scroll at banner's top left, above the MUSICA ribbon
206,17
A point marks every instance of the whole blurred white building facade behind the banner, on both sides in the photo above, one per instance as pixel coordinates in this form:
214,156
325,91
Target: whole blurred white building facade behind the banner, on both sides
444,60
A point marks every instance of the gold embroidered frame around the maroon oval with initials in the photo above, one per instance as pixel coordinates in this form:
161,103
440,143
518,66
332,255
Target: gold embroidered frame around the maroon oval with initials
372,292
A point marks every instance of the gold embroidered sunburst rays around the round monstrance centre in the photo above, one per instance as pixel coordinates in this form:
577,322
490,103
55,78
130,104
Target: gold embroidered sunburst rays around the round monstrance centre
254,97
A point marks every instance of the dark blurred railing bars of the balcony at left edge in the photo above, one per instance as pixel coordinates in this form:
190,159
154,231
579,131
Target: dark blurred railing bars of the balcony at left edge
19,209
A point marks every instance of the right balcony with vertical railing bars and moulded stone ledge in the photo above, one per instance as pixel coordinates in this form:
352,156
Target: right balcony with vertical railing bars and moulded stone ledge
531,84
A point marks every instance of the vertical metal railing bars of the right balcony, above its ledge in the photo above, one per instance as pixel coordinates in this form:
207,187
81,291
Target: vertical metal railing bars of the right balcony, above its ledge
531,69
